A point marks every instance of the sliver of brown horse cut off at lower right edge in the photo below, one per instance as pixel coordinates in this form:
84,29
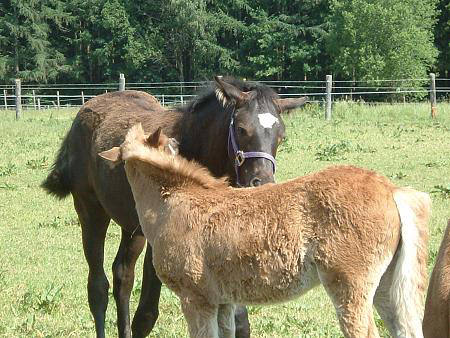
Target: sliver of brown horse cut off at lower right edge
436,321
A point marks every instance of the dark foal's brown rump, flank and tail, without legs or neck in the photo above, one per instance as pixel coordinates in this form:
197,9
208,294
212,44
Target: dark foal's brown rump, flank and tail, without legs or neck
100,124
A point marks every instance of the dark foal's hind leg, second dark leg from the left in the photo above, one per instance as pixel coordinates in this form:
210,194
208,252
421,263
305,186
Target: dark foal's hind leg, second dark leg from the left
130,248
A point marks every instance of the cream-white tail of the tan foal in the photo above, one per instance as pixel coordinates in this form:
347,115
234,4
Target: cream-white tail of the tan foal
410,272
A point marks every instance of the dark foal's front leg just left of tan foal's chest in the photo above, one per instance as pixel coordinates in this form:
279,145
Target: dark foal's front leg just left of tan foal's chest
147,312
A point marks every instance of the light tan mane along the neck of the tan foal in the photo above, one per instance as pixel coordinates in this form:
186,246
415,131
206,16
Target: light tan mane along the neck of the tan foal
173,168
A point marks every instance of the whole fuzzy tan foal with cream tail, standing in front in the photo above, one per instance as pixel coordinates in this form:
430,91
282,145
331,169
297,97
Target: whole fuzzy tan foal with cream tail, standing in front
348,228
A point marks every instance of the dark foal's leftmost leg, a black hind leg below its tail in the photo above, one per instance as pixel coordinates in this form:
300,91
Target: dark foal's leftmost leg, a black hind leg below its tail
94,223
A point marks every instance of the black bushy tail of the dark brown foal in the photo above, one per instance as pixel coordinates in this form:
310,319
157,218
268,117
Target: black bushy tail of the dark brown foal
57,182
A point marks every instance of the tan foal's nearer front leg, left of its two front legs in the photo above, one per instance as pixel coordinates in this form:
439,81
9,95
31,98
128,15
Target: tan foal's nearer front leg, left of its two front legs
201,319
